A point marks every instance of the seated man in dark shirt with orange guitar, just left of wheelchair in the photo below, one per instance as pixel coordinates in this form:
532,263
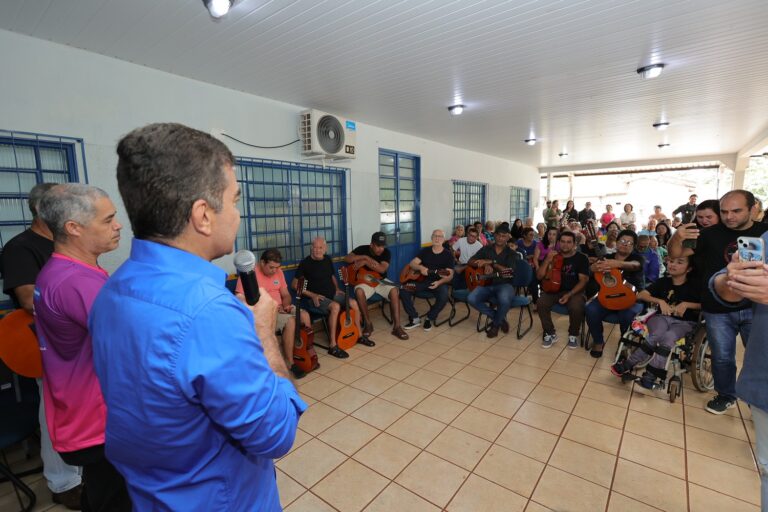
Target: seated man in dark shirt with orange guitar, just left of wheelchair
630,264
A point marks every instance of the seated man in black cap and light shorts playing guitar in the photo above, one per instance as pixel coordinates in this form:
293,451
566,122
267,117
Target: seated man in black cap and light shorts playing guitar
376,257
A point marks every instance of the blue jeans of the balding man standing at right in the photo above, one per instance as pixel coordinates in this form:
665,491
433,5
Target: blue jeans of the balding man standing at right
721,334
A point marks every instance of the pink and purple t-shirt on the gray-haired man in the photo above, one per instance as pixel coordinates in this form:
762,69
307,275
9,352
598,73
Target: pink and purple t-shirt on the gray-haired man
74,406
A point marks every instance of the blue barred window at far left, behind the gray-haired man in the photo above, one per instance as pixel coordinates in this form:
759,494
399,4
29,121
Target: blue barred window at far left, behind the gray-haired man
27,159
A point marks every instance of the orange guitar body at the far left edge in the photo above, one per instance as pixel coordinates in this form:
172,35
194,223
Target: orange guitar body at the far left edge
19,348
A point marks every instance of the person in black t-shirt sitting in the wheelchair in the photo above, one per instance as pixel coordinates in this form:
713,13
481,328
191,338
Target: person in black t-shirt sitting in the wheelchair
677,301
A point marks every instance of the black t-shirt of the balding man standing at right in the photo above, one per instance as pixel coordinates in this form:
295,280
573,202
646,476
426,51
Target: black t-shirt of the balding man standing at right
714,248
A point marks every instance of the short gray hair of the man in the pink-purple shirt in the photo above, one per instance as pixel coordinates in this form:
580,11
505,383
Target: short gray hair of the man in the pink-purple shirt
68,202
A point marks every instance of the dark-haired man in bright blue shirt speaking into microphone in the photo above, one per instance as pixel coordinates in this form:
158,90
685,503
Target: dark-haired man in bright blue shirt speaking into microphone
198,402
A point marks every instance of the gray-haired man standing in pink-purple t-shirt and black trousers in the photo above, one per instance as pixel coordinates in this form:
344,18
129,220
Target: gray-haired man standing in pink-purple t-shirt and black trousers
84,226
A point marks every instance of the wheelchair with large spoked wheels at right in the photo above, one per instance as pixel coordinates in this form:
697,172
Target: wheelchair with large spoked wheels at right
691,354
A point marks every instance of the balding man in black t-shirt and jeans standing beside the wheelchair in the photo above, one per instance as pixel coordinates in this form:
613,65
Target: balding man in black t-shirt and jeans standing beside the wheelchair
715,246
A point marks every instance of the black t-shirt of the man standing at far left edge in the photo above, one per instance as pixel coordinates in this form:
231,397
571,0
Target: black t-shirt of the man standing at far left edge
22,258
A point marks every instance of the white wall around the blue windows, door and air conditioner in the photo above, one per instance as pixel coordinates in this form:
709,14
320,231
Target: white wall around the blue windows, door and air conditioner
56,89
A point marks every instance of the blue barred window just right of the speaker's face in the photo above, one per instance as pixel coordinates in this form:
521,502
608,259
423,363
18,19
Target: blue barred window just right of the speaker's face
284,205
